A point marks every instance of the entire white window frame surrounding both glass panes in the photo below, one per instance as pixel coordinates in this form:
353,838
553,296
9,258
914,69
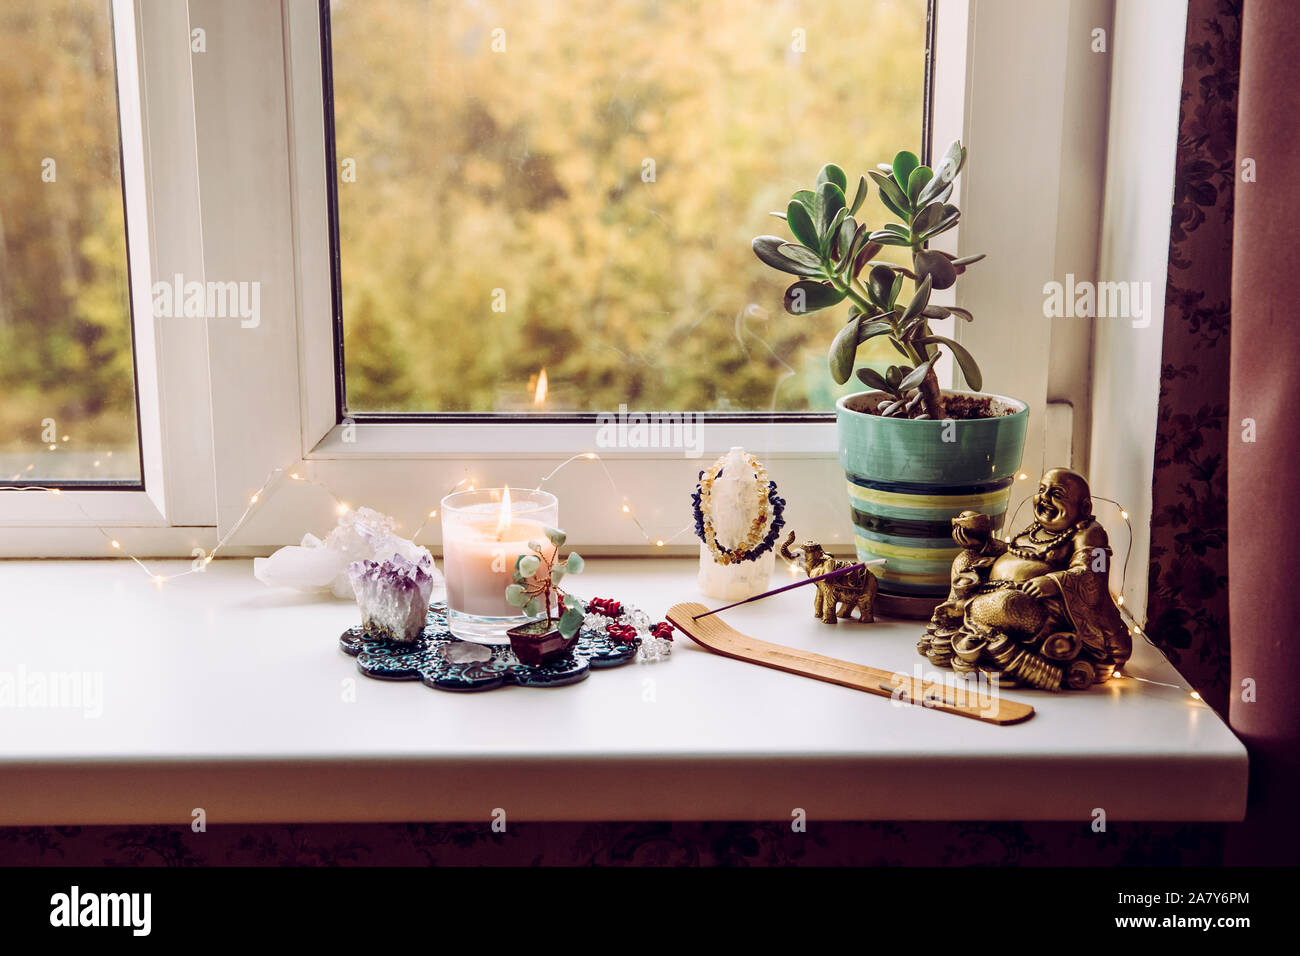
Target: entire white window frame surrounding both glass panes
252,403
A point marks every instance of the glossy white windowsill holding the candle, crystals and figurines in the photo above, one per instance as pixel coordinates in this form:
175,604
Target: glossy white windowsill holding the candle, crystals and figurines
224,695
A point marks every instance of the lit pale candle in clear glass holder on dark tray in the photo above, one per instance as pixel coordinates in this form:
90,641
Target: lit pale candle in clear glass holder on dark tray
483,534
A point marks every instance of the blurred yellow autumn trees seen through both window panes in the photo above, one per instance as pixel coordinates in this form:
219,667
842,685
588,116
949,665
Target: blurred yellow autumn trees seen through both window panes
569,185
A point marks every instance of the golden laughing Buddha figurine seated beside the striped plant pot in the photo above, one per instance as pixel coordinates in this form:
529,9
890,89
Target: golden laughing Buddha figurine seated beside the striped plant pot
1035,609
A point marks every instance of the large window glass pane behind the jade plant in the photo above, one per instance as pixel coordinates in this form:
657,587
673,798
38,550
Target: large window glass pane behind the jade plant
573,187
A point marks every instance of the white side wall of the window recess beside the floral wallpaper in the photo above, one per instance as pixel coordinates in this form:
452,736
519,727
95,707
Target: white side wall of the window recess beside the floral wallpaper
1146,85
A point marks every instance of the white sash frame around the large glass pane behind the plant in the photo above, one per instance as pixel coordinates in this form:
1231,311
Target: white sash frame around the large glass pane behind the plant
415,464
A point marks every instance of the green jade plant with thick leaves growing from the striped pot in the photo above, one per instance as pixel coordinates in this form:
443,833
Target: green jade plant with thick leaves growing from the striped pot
831,252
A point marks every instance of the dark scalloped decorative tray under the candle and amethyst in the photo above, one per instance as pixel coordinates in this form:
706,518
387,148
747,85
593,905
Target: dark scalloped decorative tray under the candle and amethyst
444,661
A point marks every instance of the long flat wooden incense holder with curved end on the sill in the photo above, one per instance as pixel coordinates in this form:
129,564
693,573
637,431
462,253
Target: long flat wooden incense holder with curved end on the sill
713,634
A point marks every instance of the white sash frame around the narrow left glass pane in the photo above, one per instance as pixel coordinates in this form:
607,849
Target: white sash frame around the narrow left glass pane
175,513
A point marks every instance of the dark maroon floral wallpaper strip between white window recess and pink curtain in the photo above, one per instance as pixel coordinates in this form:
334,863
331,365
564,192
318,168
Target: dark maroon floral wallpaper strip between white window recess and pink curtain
1188,611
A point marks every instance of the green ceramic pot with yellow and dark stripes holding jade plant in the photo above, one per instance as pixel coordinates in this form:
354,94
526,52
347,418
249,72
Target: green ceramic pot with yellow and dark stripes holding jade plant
909,479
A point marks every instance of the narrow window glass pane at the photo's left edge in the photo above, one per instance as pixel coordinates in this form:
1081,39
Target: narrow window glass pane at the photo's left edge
67,369
